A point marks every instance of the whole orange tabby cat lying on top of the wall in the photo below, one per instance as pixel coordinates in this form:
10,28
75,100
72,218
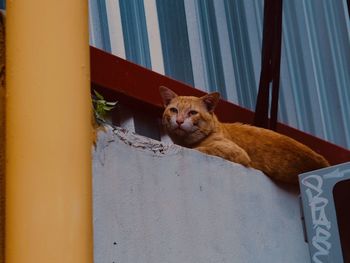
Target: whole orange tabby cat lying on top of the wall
191,122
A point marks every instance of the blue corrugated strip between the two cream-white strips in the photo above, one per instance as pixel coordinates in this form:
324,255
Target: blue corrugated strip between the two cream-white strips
135,32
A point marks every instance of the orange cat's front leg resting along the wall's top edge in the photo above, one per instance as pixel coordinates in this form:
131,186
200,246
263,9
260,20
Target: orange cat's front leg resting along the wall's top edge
227,150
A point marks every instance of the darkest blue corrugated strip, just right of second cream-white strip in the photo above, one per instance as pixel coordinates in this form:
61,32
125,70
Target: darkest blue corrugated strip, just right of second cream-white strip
174,39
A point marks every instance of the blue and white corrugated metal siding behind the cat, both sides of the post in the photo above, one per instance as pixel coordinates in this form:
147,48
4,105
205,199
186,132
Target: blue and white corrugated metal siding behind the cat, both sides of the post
216,45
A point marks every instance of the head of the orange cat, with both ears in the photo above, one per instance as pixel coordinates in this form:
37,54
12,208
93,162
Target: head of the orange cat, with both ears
188,120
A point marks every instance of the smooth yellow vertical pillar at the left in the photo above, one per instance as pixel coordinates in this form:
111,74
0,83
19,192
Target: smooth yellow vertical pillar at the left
48,169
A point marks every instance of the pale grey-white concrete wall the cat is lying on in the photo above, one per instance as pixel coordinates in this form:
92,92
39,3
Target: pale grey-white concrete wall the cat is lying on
155,203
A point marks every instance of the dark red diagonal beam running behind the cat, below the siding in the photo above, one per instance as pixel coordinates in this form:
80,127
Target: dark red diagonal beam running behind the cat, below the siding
130,83
